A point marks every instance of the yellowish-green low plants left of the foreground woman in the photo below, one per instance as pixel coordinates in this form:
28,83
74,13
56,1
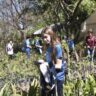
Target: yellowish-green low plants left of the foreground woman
17,68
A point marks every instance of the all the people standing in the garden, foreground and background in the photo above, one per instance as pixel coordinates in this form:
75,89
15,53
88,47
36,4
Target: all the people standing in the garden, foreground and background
52,67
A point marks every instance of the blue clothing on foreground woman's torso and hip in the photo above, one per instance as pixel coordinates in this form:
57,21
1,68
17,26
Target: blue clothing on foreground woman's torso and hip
60,74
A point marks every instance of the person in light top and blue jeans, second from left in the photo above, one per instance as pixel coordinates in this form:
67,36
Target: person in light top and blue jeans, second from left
27,47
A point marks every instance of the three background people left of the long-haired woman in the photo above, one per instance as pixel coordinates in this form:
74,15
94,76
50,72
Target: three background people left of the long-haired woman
27,45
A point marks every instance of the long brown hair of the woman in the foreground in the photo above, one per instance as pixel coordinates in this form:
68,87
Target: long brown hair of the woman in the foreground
54,40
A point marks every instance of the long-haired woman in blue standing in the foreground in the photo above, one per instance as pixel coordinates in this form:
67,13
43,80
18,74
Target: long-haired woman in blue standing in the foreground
54,58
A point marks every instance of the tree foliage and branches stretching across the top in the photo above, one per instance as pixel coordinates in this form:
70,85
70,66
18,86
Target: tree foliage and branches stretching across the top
39,13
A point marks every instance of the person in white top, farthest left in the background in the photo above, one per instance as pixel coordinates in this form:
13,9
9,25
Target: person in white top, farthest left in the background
9,49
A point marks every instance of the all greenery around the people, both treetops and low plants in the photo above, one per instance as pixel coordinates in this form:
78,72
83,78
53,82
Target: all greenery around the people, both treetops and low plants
19,77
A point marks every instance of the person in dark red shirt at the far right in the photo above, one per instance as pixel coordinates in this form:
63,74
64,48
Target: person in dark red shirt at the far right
90,44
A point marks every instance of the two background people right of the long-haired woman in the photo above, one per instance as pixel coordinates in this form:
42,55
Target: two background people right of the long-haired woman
89,42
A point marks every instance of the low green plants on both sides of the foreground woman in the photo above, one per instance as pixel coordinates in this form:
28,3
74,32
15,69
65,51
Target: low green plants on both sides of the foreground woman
80,80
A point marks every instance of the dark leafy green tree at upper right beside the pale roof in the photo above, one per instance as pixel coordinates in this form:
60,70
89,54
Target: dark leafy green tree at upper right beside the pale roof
70,13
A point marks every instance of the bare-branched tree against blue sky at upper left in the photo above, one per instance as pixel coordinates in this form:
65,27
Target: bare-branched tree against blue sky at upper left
16,13
